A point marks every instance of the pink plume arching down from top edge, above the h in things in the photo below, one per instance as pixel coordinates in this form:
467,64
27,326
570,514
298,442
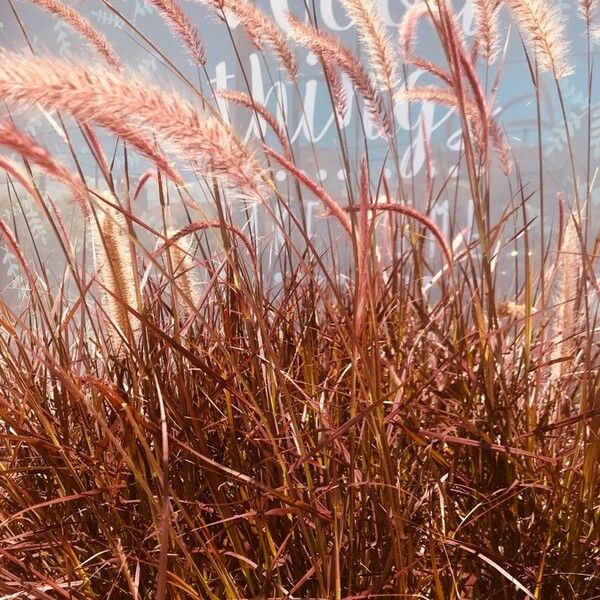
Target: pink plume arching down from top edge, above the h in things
260,29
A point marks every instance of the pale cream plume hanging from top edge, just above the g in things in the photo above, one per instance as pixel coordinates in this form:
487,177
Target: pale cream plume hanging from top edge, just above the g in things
372,33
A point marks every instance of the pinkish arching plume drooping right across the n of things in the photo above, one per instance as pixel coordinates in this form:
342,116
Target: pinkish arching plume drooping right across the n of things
332,52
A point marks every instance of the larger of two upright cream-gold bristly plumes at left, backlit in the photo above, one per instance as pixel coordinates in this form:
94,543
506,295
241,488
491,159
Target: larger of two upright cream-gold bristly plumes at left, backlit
114,265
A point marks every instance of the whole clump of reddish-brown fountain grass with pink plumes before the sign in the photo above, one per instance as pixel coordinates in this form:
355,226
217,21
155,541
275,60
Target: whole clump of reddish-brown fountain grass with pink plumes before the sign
203,411
